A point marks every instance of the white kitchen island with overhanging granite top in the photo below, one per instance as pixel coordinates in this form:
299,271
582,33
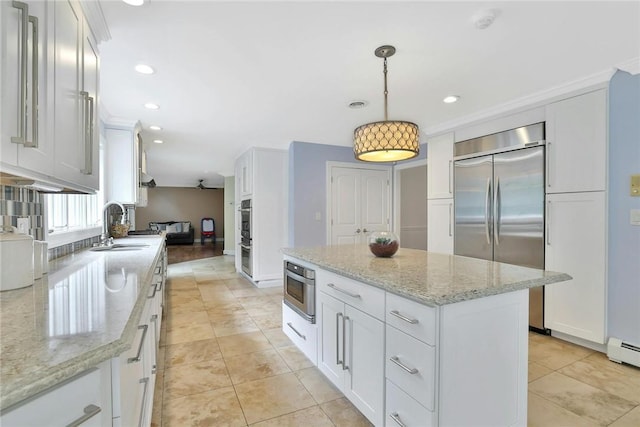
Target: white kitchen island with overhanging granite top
422,338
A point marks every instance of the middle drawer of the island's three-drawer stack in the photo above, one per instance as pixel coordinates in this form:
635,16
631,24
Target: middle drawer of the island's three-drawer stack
410,364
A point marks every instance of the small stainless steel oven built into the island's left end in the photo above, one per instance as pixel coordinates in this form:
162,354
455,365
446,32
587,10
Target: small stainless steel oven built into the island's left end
300,290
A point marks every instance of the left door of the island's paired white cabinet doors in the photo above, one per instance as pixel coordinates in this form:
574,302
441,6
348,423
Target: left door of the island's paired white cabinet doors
330,352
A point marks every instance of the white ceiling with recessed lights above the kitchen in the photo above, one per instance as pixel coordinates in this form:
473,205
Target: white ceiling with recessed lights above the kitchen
232,75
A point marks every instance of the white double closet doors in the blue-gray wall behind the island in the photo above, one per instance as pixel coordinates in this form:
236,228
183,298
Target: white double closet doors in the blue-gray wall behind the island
359,200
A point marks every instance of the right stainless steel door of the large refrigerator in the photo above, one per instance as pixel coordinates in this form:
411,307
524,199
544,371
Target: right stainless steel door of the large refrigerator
519,207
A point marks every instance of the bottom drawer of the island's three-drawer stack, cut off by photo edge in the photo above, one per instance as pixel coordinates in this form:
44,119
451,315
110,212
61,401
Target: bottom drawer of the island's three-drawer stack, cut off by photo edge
403,410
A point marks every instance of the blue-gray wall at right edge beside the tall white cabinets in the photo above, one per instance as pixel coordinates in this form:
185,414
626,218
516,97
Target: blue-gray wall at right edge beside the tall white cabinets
624,238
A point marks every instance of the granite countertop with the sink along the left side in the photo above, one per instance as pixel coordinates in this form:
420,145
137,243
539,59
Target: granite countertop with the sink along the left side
85,311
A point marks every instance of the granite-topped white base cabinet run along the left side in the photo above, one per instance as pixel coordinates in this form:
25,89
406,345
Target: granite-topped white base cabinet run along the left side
82,320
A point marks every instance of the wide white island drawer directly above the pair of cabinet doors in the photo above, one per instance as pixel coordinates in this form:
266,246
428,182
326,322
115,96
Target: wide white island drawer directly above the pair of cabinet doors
364,297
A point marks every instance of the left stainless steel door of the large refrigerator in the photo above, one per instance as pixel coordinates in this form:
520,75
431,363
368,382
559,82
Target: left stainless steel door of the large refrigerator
473,200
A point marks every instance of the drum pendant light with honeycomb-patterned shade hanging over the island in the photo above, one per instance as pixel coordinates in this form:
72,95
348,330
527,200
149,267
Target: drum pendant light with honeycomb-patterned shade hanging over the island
388,140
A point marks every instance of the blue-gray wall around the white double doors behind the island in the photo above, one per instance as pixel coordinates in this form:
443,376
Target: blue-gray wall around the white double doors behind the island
308,192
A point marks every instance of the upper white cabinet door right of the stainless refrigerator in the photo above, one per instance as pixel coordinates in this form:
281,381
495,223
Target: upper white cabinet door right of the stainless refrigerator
576,135
